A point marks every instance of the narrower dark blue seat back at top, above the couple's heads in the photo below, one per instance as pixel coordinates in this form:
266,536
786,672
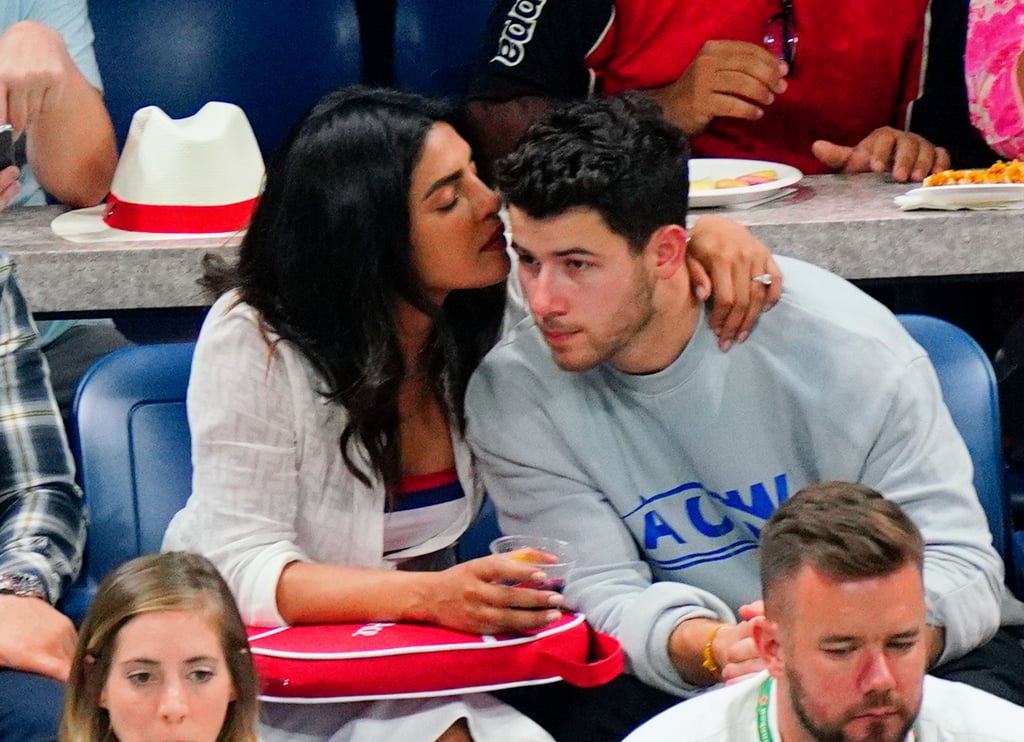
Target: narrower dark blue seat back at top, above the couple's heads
438,45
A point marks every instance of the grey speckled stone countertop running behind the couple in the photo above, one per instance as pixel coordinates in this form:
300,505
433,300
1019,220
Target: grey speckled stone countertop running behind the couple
848,225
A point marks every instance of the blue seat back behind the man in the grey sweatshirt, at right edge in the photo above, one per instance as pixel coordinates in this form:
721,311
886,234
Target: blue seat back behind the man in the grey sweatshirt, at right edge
969,390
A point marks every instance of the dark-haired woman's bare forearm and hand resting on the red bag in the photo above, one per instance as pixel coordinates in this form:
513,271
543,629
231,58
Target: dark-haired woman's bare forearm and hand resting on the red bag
478,596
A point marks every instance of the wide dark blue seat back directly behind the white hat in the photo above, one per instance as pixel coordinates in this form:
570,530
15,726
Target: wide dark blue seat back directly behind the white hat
273,59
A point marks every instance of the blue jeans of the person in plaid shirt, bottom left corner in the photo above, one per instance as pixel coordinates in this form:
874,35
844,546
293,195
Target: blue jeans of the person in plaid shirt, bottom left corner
30,707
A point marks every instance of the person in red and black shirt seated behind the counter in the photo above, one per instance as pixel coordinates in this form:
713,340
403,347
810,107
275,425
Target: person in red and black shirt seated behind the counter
821,86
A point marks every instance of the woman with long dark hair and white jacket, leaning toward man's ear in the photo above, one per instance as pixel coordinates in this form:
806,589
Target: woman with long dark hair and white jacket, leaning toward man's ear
331,477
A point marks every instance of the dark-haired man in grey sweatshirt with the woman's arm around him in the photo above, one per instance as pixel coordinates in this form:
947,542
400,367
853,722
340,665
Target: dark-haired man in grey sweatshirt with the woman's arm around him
611,418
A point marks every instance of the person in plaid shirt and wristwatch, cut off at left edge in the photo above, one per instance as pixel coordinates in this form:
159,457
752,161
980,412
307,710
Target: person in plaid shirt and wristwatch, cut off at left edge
42,530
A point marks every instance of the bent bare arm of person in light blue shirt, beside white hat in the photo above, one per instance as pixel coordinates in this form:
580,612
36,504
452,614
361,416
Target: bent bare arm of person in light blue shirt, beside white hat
71,144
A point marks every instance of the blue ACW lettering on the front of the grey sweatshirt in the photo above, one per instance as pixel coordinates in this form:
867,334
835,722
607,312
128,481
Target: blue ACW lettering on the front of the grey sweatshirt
691,526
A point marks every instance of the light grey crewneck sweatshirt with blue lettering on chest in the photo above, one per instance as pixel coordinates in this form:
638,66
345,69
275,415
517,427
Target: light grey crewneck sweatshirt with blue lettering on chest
665,481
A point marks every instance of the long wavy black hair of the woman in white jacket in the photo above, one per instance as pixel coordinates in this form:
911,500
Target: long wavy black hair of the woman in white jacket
328,257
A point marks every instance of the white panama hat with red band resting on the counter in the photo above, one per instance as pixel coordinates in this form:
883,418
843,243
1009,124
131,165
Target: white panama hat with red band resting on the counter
178,179
